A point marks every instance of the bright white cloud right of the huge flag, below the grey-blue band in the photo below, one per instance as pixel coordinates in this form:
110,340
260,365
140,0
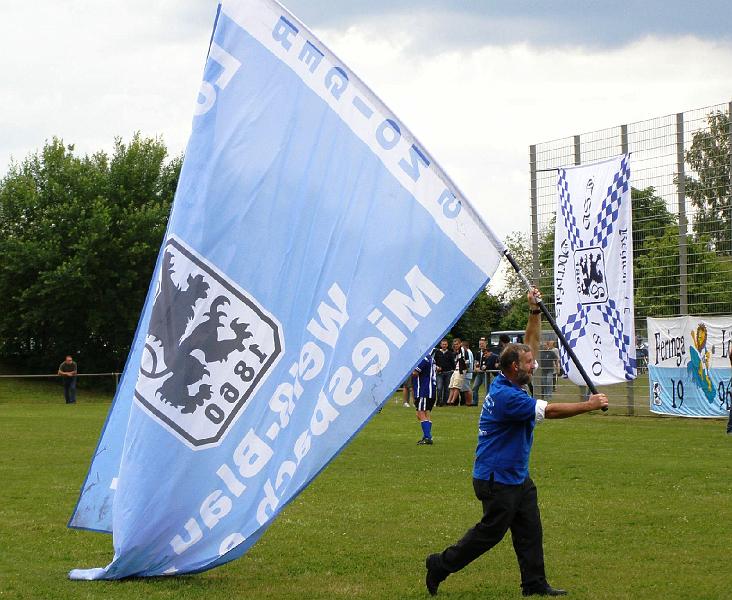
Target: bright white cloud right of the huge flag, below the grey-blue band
477,111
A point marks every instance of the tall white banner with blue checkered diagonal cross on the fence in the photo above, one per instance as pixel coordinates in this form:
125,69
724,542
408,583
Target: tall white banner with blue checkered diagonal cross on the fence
593,270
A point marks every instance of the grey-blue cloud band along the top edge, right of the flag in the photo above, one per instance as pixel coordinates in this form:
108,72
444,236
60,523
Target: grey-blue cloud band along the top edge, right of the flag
585,23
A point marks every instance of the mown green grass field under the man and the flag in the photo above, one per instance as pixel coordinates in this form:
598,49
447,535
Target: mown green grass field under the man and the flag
633,508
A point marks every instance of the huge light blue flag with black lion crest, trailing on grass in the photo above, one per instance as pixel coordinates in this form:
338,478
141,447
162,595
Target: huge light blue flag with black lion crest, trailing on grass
314,252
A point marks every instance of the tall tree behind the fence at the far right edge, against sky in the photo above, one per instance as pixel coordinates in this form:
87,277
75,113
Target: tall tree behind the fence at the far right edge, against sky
710,192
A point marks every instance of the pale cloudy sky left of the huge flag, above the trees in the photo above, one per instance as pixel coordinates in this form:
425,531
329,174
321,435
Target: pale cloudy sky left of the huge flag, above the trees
89,71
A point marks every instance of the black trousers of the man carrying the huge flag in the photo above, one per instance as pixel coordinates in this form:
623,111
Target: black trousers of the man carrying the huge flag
505,507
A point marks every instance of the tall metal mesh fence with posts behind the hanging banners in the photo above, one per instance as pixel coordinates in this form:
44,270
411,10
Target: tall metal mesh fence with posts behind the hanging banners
681,167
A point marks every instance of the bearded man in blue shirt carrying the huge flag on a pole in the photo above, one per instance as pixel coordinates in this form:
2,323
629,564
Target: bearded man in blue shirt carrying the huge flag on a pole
501,474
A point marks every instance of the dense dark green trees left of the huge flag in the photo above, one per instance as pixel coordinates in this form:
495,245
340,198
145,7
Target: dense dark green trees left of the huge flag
79,238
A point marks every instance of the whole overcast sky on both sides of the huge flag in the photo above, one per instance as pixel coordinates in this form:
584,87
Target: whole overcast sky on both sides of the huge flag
476,81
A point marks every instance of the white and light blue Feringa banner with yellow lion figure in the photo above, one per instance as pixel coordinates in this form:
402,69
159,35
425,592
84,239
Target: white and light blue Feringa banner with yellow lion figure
689,366
